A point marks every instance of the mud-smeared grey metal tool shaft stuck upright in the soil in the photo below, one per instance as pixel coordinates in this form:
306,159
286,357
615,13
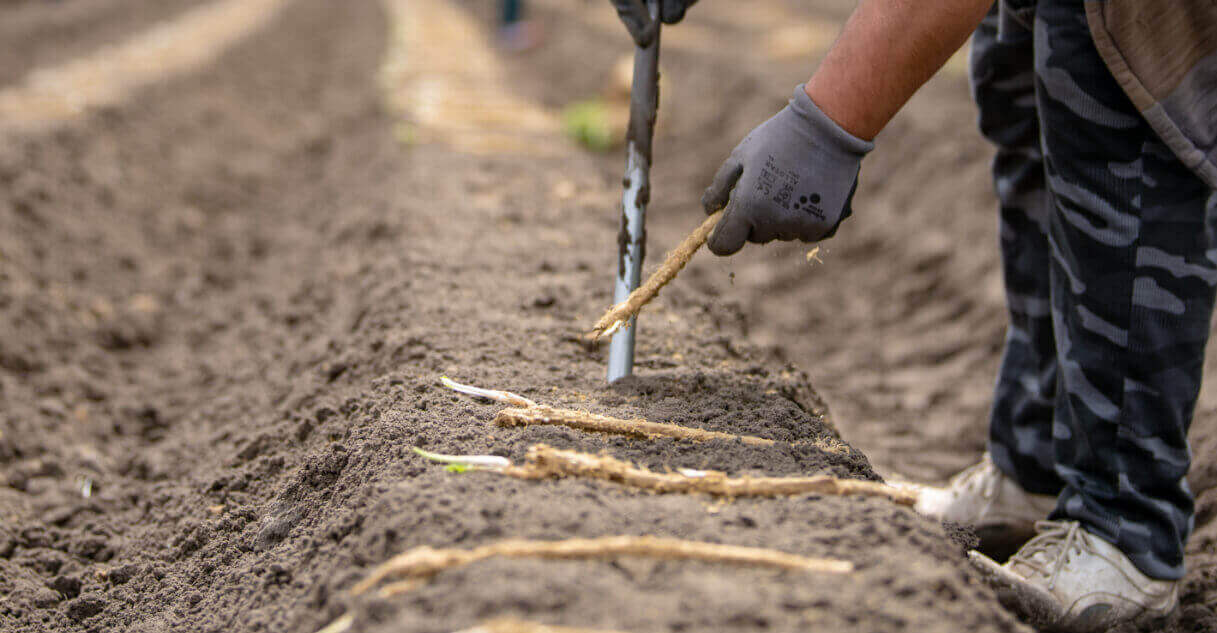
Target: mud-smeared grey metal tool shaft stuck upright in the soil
632,239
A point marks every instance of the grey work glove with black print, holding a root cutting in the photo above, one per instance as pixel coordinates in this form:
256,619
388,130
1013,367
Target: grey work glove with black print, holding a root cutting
792,178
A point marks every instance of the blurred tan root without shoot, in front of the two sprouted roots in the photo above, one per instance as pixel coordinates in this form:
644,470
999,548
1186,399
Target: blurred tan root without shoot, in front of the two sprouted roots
427,562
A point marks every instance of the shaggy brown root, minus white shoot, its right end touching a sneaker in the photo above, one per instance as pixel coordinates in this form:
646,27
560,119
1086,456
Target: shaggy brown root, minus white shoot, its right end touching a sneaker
546,462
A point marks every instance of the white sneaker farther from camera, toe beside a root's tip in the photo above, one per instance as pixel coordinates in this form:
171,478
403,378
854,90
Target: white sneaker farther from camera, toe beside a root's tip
988,501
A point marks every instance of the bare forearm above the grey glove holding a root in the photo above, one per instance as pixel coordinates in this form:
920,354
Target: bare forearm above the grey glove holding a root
887,52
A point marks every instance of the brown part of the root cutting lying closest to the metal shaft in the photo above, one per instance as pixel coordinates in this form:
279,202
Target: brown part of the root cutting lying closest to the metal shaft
604,424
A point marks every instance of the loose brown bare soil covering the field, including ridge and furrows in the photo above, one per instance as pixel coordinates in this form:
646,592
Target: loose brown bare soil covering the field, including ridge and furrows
226,307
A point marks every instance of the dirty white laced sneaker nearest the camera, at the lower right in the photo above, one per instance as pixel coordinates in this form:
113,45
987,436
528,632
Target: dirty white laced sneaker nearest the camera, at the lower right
1072,581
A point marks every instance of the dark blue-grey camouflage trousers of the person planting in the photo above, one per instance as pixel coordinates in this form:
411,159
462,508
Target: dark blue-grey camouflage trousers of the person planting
1108,245
